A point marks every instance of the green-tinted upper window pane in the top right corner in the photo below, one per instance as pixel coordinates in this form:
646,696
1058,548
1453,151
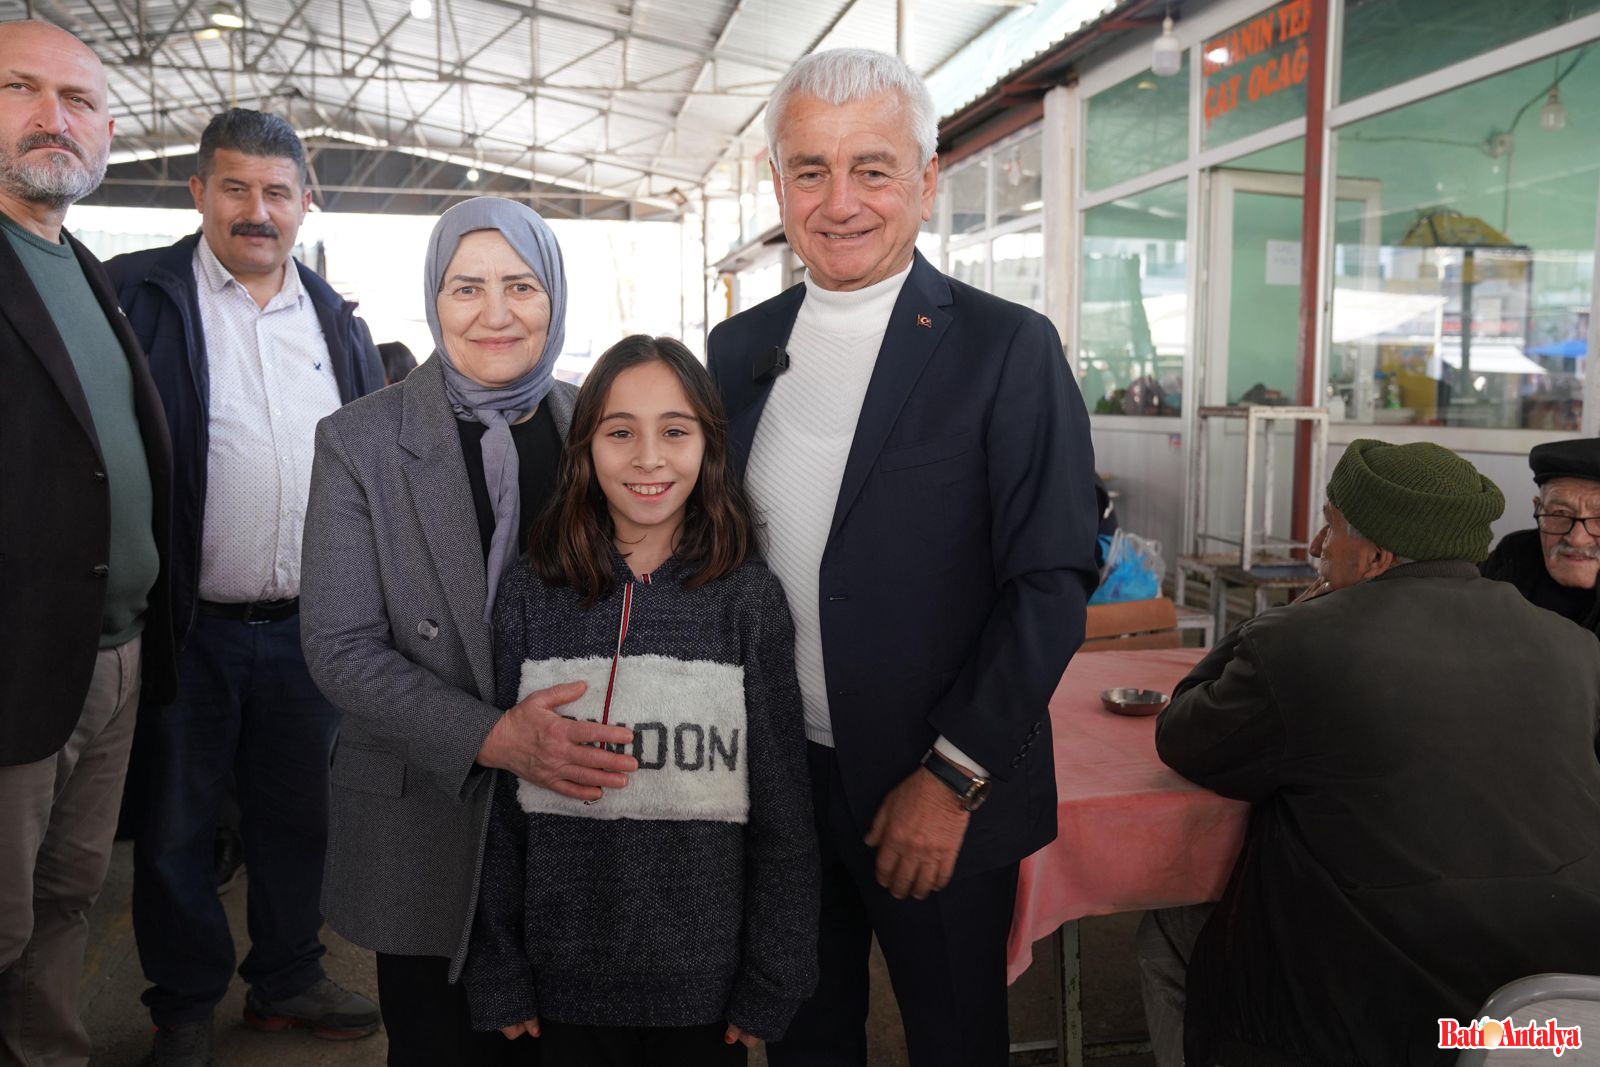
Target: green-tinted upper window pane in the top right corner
1388,42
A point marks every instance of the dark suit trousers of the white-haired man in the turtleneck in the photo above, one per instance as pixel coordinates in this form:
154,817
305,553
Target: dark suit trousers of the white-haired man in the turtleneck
946,954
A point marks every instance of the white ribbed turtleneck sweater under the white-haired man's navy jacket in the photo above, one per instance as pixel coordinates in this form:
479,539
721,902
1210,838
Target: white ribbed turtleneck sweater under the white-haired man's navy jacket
798,462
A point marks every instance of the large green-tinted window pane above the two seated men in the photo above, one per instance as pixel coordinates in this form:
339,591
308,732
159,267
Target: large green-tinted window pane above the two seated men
1431,330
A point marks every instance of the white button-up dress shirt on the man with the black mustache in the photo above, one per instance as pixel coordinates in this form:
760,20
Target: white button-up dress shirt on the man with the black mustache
271,383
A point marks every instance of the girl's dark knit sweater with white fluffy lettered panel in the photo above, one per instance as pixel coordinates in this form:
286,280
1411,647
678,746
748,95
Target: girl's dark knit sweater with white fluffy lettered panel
690,897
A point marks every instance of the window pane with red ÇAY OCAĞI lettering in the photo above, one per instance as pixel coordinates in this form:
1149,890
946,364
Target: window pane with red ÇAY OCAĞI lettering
1254,74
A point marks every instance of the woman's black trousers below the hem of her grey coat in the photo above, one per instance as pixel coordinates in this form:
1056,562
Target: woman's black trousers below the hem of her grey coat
428,1021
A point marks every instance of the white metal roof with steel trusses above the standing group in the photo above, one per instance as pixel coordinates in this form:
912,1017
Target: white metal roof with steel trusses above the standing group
633,98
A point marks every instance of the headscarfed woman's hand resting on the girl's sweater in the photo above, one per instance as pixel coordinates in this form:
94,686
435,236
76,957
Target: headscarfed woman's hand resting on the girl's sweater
540,746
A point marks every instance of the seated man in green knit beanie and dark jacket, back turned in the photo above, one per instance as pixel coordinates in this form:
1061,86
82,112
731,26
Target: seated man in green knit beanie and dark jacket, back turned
1418,748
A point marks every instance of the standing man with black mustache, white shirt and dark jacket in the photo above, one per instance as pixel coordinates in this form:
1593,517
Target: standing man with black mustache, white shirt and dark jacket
249,350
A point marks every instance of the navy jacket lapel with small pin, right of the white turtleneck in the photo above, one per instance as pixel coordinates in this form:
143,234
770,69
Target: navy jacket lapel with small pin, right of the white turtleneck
916,329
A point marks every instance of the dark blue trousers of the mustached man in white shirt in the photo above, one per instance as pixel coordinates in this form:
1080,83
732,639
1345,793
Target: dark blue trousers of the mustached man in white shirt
247,719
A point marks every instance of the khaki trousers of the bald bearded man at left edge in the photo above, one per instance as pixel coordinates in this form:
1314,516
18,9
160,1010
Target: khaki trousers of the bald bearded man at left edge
55,849
